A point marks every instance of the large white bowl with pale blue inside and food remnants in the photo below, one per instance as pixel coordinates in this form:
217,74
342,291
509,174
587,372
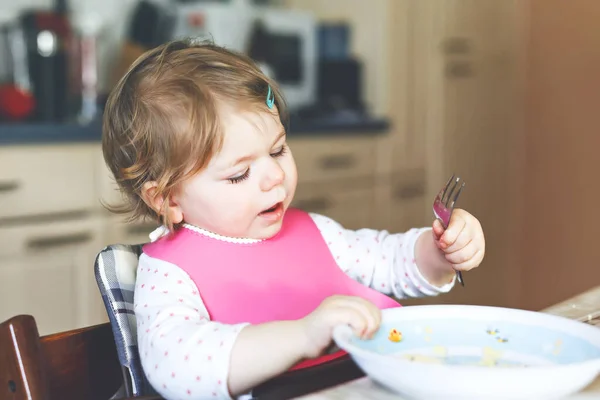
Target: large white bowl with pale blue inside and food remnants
477,352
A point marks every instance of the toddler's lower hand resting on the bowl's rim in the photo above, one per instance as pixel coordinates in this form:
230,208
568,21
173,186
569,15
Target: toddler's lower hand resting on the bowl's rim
362,316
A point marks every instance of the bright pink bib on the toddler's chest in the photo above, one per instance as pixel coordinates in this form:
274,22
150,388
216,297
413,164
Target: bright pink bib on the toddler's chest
282,278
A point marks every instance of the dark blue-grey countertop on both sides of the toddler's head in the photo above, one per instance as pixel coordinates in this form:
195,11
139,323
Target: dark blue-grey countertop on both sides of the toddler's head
51,133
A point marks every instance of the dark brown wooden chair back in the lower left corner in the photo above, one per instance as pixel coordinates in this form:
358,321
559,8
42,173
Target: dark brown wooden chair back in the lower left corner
78,364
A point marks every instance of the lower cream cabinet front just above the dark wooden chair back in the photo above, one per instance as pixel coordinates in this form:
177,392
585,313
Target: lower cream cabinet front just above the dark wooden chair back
46,269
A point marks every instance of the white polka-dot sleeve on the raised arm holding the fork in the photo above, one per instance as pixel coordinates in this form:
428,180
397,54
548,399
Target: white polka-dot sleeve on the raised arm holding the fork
378,259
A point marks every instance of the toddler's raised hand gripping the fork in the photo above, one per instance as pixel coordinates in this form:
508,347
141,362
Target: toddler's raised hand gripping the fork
462,242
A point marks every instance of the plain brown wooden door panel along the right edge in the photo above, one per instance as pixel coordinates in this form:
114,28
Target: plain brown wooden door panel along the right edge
559,254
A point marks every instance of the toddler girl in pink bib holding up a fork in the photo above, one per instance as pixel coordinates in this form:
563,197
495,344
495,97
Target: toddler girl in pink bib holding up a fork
238,287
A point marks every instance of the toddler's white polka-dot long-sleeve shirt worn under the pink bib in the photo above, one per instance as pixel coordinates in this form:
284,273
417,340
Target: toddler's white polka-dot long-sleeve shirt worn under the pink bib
185,355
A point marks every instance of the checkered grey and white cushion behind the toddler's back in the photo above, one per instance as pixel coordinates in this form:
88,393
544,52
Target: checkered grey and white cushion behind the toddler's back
115,269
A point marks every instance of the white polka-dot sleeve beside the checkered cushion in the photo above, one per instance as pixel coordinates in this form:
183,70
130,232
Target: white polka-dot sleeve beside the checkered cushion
184,355
